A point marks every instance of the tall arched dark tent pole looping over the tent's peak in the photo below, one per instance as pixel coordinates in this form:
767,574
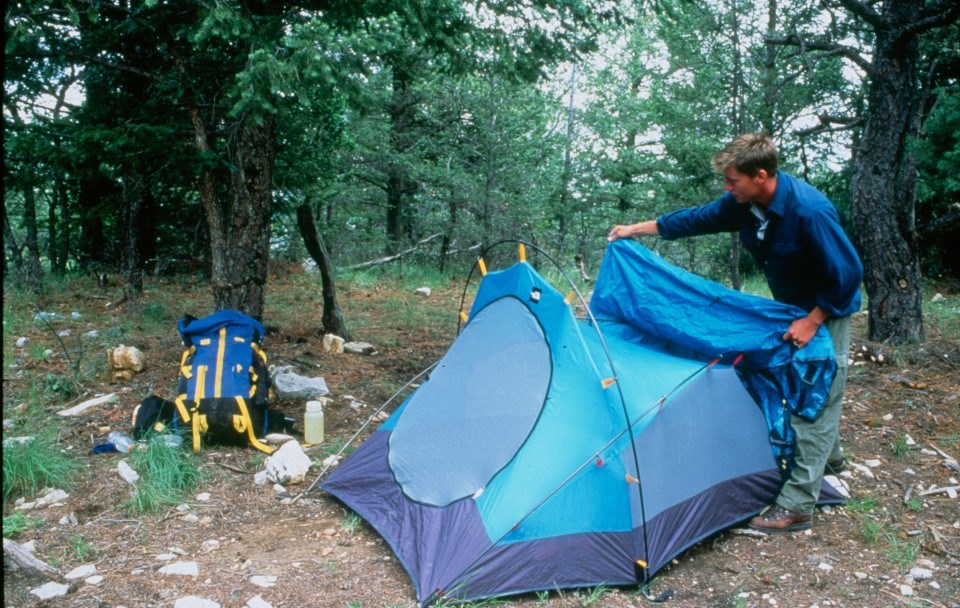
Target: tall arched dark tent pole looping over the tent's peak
606,383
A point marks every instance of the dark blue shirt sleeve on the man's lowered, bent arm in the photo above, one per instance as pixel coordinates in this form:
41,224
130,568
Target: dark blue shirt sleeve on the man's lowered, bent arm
835,255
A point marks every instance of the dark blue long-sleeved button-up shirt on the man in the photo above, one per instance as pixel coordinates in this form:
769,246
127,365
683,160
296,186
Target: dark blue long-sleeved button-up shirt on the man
804,253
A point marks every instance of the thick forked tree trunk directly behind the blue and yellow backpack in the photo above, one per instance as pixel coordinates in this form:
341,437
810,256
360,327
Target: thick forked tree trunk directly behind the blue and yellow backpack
240,228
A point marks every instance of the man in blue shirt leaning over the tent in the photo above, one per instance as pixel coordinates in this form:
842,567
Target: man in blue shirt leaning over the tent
794,234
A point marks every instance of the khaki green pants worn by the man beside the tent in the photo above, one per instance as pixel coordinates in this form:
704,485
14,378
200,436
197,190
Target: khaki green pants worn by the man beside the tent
818,442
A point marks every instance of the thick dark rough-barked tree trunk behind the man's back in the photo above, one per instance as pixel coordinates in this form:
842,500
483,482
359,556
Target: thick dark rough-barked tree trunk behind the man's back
882,195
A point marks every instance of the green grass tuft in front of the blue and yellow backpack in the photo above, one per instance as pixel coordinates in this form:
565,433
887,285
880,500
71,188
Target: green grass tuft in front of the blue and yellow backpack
167,474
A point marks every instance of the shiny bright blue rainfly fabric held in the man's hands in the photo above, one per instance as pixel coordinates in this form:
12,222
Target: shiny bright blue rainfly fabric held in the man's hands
687,314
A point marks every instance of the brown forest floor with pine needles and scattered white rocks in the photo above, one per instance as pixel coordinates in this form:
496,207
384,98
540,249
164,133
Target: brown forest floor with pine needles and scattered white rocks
901,430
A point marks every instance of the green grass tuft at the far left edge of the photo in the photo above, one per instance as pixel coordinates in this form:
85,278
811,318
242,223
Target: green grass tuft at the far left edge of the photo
30,467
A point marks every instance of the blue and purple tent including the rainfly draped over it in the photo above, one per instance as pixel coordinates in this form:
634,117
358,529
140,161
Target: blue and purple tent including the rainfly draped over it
546,451
